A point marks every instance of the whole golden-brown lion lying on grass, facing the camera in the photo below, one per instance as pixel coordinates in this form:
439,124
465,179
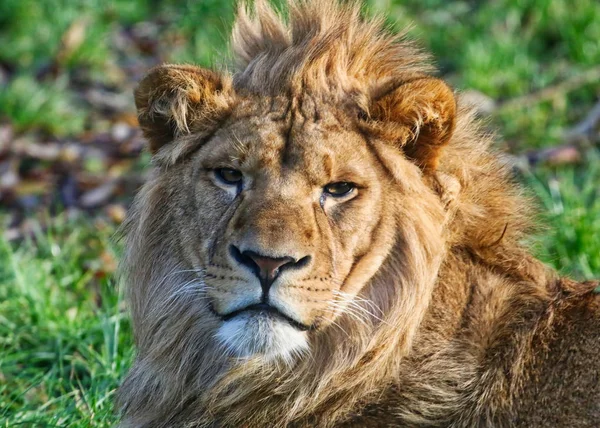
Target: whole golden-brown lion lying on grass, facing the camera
327,239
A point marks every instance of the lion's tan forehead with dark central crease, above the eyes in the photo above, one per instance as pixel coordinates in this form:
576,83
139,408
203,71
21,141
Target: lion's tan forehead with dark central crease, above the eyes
269,144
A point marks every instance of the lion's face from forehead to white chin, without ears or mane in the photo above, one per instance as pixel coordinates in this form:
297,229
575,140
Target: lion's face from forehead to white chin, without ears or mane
283,209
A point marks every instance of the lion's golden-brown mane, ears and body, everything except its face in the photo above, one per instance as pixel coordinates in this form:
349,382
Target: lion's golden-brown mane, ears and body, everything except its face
452,323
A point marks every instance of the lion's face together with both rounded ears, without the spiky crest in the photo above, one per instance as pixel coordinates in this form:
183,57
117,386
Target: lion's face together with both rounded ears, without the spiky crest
283,206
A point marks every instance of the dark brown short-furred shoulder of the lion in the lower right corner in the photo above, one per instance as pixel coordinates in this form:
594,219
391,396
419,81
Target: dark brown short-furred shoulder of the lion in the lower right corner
563,387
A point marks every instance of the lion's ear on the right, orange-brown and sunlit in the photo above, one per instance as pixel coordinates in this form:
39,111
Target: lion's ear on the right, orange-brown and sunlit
419,115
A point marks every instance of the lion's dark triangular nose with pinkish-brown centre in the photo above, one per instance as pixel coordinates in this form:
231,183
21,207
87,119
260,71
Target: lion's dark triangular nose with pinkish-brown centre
267,269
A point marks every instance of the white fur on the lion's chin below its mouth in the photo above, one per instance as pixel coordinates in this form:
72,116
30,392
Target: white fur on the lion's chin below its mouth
249,335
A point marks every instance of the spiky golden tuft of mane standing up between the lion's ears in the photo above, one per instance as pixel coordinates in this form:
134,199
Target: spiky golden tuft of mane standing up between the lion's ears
322,48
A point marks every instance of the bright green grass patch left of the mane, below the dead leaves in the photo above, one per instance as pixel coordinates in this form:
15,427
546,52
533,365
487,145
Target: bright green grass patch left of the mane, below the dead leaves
64,337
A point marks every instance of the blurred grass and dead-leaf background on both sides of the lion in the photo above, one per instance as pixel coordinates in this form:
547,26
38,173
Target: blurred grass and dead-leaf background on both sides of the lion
71,157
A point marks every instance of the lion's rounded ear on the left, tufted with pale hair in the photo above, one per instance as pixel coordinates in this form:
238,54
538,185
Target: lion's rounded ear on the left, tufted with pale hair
175,100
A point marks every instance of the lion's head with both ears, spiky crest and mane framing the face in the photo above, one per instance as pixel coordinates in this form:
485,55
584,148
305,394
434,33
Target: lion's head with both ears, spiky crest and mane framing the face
288,241
